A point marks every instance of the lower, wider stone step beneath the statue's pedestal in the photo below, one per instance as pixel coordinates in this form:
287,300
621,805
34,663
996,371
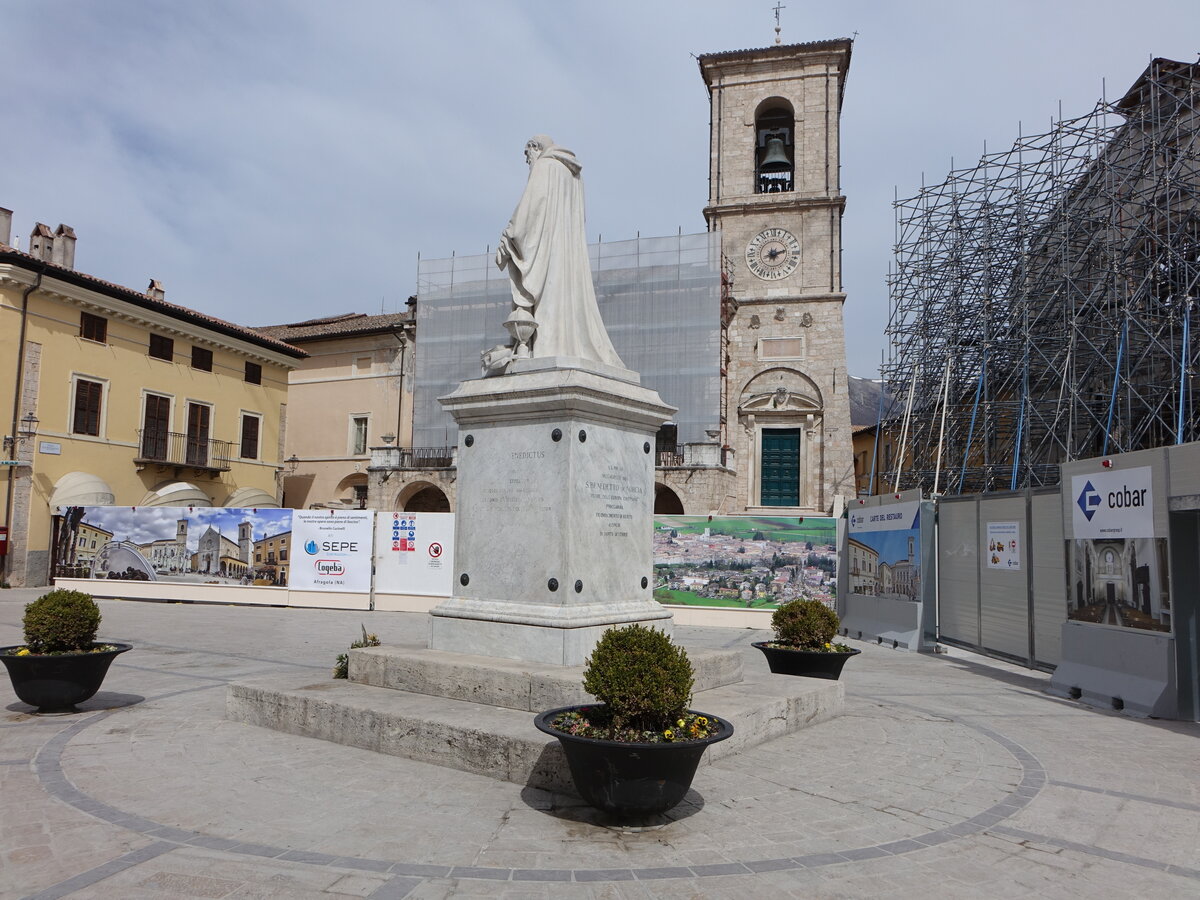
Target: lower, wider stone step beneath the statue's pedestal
495,741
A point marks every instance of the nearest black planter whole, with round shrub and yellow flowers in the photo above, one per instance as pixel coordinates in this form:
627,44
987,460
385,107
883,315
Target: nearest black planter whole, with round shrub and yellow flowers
635,754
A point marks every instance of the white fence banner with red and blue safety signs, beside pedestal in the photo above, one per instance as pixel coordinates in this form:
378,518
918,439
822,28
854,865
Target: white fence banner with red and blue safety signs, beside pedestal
415,554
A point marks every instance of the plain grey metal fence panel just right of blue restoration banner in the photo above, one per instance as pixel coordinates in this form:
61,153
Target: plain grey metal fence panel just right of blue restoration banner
958,572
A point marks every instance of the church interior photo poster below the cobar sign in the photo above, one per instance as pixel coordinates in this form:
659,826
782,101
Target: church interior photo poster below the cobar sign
1120,583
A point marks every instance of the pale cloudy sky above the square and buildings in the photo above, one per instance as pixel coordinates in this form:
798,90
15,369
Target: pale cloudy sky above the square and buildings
272,161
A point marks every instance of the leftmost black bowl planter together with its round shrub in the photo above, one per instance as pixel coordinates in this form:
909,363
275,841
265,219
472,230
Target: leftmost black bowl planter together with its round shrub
61,664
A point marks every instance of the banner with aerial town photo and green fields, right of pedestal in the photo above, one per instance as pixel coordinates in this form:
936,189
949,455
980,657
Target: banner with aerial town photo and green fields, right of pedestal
745,562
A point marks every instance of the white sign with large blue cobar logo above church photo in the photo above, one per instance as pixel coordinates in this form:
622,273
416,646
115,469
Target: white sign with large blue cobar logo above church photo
1114,505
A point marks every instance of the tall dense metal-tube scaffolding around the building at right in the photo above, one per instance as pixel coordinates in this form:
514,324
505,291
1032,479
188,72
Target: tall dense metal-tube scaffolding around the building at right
1042,302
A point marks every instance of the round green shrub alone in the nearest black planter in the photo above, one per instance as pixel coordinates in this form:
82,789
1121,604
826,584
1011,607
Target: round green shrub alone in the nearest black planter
644,680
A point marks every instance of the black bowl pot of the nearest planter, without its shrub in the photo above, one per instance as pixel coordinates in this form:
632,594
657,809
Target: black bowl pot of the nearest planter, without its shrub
631,781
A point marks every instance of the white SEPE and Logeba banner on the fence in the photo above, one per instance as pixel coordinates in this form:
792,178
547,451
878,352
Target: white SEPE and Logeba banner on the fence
333,550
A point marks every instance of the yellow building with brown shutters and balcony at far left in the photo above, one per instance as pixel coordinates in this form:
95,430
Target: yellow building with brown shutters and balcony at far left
113,397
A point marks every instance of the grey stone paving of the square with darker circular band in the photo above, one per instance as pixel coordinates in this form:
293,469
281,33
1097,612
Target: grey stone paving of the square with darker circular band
949,776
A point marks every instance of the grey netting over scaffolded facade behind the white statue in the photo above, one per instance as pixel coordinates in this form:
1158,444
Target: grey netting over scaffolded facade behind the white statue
661,299
